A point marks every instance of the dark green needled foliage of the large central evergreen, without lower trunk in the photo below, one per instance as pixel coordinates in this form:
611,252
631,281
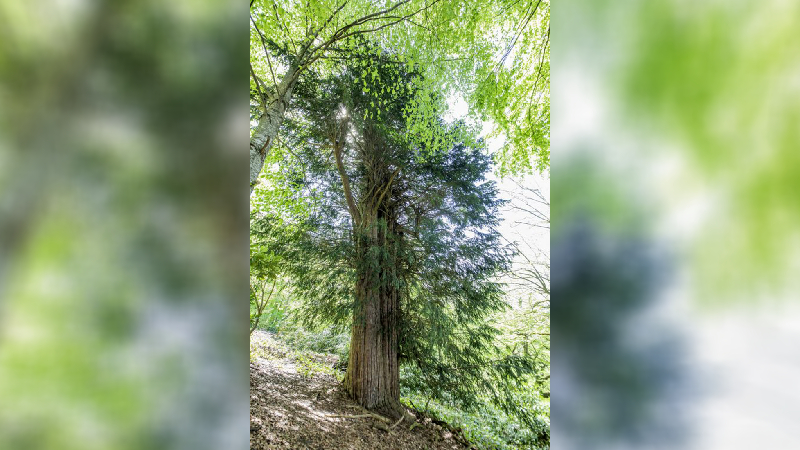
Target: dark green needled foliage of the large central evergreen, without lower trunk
437,214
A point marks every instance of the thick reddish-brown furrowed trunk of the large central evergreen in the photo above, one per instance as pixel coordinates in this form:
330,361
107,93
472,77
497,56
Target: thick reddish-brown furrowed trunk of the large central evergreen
372,377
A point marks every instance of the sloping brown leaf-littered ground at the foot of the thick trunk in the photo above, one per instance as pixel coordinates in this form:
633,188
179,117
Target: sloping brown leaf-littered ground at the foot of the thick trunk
297,403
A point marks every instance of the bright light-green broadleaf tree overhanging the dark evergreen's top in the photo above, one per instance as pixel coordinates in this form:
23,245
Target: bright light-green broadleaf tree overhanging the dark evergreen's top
501,66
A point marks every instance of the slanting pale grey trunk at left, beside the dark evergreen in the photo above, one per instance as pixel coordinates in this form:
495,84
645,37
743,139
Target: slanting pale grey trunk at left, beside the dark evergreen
267,130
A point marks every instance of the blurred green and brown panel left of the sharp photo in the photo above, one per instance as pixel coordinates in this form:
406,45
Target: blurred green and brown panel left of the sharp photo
123,225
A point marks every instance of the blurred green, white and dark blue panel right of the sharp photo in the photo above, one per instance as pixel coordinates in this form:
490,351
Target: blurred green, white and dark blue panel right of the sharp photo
676,131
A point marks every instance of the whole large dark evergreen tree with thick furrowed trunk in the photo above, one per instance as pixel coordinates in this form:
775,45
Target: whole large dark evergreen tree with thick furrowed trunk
400,247
